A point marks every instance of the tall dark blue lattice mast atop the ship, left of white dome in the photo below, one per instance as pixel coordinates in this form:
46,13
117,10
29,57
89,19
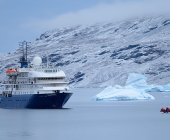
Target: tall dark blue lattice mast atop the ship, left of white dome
24,59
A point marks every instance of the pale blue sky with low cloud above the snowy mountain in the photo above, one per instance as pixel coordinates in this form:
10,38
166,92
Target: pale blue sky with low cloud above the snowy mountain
27,19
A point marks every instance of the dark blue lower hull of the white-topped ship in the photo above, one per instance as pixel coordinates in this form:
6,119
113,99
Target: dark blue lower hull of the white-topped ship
35,101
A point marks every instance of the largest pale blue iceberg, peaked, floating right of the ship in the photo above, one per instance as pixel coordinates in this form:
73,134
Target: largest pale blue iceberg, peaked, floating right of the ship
135,88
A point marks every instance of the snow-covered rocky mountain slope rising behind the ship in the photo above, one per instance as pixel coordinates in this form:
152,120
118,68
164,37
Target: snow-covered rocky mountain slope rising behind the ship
103,54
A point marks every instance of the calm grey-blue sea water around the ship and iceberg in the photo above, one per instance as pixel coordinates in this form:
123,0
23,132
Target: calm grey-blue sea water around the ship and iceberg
86,119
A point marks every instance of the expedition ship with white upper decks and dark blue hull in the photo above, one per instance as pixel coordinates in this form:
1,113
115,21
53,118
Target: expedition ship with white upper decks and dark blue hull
35,86
